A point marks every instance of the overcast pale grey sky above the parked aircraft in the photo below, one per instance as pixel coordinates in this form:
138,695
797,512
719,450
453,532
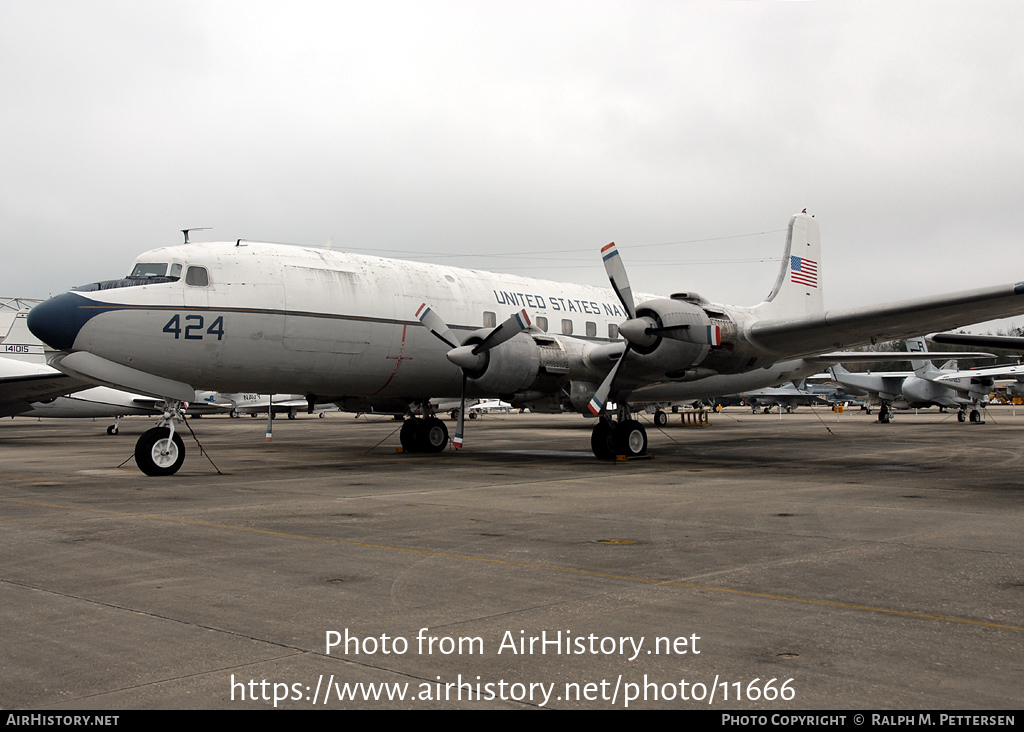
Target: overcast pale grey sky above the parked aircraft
522,138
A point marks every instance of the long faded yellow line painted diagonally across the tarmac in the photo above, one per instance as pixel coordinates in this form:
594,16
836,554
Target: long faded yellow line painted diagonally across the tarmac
529,566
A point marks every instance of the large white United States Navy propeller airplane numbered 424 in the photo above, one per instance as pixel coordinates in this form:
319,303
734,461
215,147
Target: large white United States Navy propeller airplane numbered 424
370,333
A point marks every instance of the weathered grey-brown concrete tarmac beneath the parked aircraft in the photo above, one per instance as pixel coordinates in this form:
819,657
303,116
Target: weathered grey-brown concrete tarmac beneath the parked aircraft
808,563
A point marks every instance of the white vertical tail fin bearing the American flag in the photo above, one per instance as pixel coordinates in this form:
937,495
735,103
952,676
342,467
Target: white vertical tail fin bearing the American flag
798,288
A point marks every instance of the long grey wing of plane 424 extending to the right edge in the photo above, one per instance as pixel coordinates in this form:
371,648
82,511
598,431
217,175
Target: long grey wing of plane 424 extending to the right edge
845,328
